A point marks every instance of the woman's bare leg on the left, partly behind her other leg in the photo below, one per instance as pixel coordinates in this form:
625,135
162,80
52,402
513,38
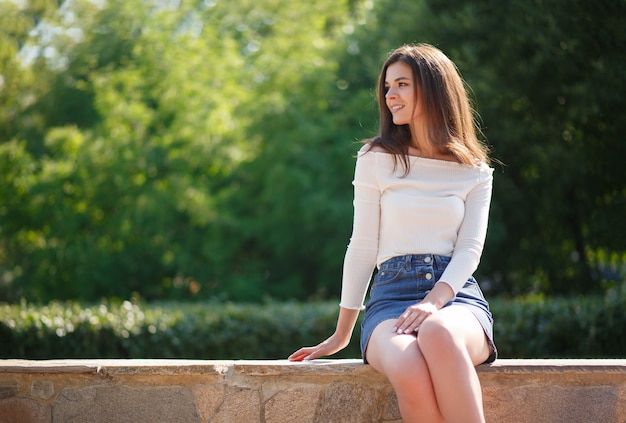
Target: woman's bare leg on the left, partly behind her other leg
399,358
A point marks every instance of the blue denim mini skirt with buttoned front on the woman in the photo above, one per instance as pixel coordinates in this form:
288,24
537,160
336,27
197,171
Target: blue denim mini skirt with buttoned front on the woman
405,280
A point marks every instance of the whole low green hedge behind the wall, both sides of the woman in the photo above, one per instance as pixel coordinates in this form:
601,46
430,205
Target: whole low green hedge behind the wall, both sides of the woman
532,327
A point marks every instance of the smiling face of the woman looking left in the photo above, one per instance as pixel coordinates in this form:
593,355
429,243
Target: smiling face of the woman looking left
400,94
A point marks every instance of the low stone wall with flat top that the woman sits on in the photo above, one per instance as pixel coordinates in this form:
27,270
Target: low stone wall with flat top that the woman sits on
324,391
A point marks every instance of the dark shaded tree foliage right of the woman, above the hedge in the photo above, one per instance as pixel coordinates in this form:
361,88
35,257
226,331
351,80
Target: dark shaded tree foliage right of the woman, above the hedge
547,80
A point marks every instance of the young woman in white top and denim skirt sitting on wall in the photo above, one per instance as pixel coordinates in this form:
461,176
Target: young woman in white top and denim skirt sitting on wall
422,190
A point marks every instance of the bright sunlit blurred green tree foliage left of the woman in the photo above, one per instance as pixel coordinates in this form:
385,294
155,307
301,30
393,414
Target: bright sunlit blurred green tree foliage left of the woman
169,157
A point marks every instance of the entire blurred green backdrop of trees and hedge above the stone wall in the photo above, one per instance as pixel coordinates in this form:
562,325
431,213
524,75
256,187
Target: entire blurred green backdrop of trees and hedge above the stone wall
175,176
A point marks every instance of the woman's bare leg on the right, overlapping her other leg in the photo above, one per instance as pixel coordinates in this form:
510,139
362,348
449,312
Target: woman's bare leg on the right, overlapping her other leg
453,342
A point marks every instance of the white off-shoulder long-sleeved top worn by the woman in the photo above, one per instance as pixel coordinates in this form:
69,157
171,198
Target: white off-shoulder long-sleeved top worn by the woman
440,207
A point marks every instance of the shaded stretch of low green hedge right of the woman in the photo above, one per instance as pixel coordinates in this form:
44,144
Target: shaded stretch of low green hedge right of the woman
576,327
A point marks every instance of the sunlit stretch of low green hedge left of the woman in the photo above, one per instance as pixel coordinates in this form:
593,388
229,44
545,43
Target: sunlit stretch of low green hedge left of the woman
209,330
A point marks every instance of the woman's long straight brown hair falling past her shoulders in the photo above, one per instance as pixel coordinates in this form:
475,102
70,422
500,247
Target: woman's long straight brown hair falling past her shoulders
449,115
